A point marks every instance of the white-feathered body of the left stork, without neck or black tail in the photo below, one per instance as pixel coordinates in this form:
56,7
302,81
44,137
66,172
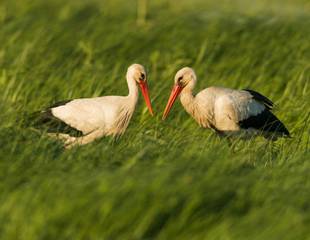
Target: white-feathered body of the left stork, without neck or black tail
96,117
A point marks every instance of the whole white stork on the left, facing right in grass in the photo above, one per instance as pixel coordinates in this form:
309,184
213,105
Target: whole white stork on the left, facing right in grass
81,121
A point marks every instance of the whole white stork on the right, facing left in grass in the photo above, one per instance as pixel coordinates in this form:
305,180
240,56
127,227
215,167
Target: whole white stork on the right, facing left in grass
244,113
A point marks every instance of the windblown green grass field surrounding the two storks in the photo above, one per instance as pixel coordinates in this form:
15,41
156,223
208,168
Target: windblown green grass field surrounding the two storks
161,180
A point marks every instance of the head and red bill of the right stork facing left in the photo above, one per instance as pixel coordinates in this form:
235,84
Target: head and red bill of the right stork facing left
184,80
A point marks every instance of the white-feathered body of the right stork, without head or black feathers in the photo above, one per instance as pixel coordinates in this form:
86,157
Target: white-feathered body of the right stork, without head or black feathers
222,109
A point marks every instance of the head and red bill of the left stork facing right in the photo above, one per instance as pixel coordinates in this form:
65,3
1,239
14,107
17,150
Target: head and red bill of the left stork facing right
137,73
